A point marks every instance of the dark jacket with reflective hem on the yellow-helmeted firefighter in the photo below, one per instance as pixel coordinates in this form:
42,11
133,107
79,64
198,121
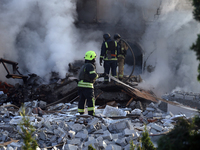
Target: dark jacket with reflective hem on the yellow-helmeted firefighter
87,75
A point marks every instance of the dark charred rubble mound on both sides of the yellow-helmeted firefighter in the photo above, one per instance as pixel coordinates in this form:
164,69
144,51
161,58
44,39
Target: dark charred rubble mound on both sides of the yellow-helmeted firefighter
65,90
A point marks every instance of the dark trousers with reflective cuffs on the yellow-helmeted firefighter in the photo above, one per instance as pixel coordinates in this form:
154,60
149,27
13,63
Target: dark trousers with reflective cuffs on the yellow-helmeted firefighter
86,95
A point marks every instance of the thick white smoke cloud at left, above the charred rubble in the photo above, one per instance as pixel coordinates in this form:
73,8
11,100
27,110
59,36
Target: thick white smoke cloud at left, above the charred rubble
41,36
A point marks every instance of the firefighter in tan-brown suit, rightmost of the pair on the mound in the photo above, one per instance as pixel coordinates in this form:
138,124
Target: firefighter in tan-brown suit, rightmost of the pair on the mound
122,46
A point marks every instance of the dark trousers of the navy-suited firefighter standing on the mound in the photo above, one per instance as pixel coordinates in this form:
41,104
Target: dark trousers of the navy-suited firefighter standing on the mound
110,65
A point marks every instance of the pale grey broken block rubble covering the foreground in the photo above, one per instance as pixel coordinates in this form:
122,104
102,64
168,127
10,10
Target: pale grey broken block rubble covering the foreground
61,127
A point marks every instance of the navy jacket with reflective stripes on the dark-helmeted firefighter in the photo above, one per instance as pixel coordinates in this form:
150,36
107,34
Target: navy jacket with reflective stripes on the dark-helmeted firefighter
109,50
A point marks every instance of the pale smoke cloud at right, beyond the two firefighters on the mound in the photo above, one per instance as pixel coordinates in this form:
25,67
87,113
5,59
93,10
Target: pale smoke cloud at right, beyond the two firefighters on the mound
167,41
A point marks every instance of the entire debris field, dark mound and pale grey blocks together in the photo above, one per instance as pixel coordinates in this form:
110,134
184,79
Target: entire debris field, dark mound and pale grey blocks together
122,113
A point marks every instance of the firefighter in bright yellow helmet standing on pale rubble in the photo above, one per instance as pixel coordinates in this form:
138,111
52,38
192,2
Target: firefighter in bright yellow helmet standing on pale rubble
87,77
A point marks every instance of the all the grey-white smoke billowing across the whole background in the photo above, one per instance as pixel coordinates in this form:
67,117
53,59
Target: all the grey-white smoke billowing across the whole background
42,37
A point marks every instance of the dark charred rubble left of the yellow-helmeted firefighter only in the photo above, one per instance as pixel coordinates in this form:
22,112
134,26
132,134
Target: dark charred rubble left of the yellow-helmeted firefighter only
35,89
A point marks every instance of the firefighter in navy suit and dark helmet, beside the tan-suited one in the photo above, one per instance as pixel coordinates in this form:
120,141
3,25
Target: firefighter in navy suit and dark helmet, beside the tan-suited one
109,53
